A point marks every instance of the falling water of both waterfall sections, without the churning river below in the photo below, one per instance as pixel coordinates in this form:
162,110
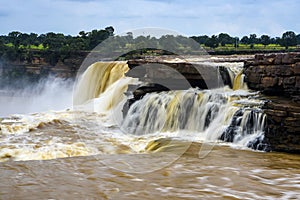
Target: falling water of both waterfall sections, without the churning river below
216,114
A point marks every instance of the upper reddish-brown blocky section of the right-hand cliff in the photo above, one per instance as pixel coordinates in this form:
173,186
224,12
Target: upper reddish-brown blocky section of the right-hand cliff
275,74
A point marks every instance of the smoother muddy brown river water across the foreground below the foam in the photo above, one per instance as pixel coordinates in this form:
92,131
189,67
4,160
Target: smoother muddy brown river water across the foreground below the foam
225,173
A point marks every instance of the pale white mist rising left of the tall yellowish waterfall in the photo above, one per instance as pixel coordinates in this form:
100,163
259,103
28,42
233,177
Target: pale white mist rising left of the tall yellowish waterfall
50,93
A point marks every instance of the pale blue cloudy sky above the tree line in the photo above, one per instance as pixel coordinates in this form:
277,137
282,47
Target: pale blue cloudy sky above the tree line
186,17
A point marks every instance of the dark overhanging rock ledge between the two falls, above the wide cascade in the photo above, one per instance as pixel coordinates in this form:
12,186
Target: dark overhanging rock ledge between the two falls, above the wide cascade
179,75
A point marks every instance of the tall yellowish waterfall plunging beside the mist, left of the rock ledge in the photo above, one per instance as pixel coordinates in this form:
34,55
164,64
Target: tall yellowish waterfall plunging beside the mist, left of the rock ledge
102,86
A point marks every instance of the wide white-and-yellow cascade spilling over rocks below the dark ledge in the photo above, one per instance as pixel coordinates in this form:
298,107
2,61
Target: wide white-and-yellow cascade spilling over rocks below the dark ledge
211,114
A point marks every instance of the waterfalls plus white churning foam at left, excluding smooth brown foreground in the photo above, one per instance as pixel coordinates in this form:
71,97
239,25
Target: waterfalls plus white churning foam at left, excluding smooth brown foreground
220,114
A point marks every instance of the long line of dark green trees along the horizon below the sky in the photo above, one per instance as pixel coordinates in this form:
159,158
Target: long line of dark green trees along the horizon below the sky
57,46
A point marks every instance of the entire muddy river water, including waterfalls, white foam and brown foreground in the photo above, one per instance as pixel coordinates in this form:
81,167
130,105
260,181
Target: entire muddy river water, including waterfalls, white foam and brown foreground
190,144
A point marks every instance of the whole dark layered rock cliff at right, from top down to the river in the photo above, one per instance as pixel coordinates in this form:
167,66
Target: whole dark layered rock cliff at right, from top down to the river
278,75
